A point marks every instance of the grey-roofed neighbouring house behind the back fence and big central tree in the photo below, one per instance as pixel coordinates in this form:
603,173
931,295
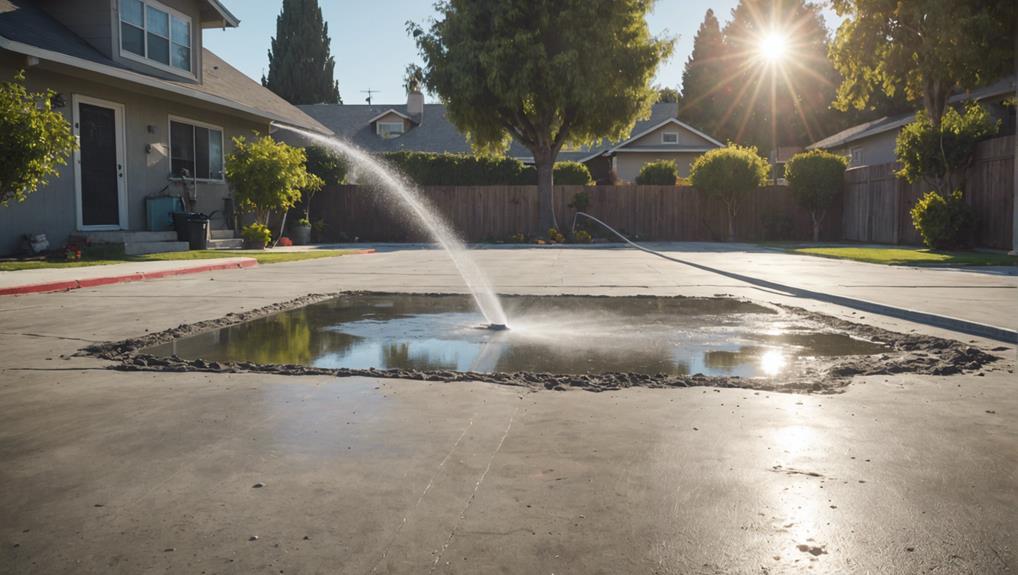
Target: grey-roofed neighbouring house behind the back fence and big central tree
424,128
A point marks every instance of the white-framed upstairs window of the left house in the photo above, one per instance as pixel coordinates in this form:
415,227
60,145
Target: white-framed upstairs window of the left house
155,34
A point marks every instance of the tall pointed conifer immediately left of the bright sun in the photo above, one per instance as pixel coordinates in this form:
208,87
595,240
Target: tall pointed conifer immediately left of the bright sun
704,86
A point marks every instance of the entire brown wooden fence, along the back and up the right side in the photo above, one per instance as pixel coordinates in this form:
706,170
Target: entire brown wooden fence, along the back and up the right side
875,208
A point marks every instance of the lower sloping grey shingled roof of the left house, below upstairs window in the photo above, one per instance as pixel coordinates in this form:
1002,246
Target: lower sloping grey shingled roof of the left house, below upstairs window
28,30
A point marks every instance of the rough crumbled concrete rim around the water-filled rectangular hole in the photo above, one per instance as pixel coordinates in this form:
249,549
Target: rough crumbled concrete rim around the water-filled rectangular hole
915,355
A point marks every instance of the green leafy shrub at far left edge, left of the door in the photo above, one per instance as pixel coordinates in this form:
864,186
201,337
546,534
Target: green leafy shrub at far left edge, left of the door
34,140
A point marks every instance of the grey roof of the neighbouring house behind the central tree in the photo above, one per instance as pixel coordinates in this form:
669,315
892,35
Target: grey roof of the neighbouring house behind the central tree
436,133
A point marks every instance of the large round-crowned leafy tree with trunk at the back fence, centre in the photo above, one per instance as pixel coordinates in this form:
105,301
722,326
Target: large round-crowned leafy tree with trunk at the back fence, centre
545,74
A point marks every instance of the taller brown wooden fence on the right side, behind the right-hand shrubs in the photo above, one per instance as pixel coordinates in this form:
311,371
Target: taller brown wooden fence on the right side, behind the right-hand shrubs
877,204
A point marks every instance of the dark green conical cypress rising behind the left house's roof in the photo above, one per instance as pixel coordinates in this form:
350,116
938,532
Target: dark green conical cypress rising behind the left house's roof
301,67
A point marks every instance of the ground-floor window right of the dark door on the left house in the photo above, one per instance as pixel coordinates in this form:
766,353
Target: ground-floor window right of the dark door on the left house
198,149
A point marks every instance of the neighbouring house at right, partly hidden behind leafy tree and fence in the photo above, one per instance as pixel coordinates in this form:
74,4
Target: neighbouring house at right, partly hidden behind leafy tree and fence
874,143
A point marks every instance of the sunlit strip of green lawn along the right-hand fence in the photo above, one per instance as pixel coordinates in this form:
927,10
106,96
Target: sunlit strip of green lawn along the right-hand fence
908,256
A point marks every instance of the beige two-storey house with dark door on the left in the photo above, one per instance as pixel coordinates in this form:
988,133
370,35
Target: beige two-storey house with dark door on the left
148,105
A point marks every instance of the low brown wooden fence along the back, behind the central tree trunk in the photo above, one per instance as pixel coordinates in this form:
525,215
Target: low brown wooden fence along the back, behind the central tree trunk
498,213
